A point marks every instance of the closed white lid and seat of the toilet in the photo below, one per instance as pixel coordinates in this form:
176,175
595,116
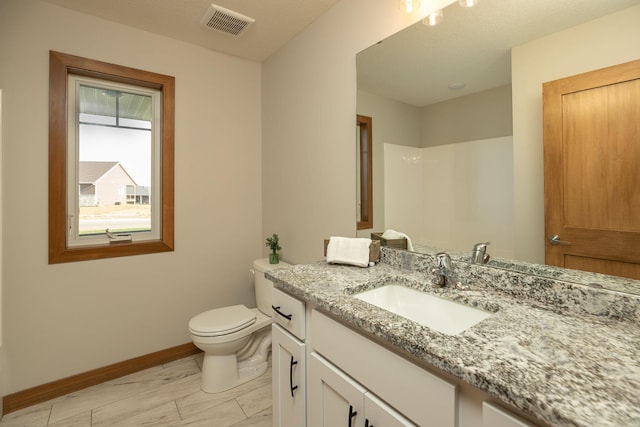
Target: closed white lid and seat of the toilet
222,321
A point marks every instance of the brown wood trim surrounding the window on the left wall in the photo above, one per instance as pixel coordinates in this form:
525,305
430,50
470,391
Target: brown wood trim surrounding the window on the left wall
60,66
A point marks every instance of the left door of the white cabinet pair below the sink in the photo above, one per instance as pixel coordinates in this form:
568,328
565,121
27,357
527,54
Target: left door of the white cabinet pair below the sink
335,400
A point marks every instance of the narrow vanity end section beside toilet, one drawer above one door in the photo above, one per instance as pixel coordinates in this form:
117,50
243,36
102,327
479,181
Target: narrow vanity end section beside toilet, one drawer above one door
288,361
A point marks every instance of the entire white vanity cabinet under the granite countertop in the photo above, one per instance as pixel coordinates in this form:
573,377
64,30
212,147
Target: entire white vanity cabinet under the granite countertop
326,374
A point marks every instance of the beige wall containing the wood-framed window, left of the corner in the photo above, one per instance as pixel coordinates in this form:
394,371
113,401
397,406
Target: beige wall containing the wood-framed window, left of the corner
65,319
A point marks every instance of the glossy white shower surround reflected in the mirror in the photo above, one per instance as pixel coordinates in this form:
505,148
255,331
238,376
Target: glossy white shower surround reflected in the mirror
452,196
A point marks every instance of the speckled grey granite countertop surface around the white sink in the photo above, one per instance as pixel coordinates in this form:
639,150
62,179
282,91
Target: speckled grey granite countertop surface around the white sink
563,367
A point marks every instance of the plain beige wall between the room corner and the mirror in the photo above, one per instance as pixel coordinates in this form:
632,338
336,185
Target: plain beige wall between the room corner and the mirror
309,109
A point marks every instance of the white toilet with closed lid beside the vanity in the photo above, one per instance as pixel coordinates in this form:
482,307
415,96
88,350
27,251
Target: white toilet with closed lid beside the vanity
236,340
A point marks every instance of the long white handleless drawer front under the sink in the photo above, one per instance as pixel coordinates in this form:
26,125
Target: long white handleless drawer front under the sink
423,397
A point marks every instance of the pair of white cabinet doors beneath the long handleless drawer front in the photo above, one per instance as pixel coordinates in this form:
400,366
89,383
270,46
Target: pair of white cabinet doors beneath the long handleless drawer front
336,400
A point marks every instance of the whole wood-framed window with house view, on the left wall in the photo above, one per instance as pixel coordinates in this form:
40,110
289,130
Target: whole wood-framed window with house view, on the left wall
111,160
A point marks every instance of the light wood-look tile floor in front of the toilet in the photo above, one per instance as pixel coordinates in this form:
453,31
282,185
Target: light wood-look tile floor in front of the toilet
167,395
